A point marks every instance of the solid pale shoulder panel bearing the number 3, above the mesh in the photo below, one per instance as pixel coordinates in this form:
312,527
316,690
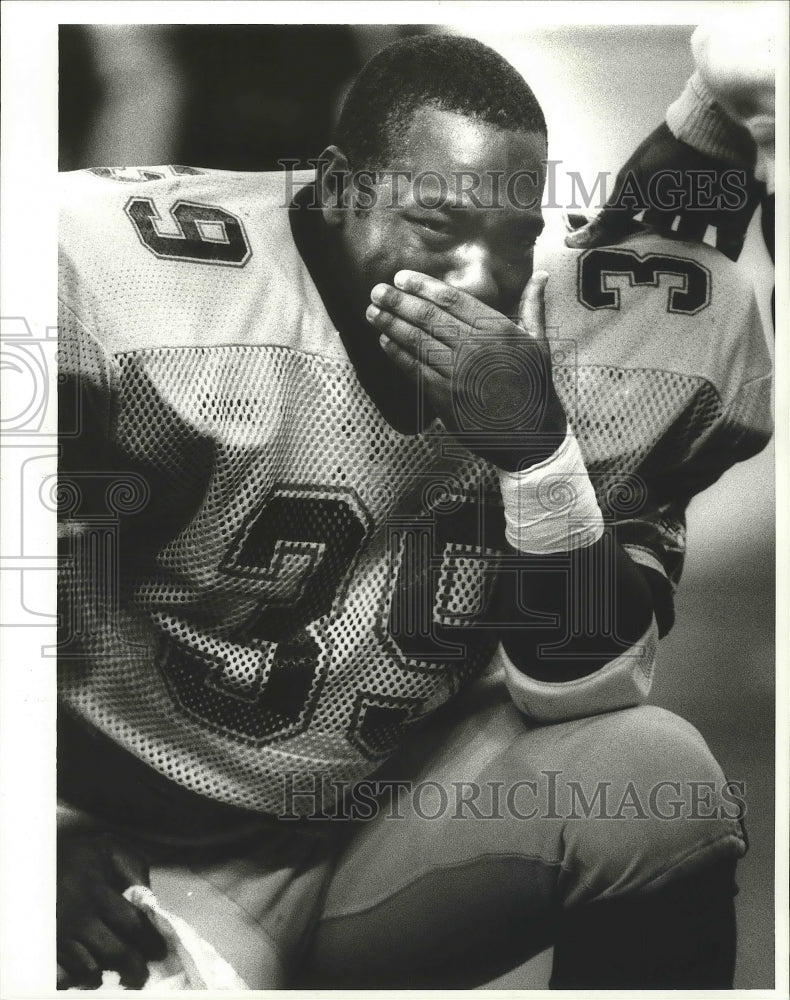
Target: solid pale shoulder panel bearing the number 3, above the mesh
653,303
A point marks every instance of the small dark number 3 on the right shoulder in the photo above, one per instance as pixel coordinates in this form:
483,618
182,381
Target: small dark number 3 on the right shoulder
595,266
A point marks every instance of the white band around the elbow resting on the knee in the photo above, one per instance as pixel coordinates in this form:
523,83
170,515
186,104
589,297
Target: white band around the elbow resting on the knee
621,683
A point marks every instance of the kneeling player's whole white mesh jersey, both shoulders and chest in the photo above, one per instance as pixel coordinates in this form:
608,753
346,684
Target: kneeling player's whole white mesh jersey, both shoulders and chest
263,582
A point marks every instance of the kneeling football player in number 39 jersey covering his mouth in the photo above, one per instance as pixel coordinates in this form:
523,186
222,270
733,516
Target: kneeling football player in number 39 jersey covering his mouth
335,506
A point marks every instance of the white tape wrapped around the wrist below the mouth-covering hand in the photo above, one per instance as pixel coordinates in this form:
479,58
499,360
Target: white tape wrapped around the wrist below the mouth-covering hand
551,507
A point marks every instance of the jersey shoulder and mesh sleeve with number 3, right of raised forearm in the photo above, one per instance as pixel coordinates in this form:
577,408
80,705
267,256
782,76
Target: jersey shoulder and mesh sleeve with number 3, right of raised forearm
661,362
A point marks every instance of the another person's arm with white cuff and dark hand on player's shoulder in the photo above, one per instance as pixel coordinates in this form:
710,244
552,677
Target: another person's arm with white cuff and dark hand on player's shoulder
721,127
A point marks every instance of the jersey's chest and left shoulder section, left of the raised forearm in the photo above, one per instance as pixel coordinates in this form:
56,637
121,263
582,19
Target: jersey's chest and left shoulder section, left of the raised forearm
293,581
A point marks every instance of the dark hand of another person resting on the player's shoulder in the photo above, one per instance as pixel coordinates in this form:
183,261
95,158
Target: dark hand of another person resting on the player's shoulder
681,192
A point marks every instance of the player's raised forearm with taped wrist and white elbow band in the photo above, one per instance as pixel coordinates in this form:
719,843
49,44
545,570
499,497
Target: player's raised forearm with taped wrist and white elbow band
578,626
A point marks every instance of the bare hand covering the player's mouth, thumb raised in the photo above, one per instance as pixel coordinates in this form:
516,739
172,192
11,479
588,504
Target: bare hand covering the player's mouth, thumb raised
488,378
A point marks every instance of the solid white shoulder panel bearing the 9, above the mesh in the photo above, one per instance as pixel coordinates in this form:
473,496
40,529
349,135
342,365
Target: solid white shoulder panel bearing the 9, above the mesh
171,256
